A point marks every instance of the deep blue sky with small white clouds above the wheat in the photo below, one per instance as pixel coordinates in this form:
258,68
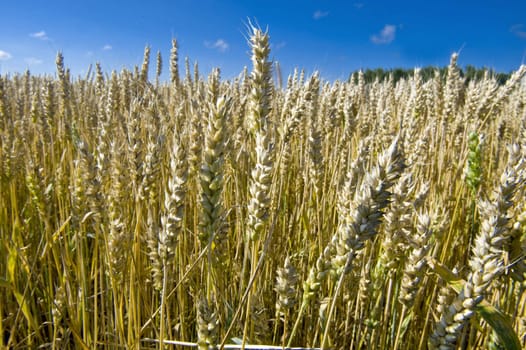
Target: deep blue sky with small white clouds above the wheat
335,37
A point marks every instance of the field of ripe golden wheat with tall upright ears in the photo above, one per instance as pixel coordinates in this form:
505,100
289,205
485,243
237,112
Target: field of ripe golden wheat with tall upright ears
212,213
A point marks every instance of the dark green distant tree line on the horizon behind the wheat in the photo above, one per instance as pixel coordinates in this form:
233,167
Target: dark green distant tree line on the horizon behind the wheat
469,73
